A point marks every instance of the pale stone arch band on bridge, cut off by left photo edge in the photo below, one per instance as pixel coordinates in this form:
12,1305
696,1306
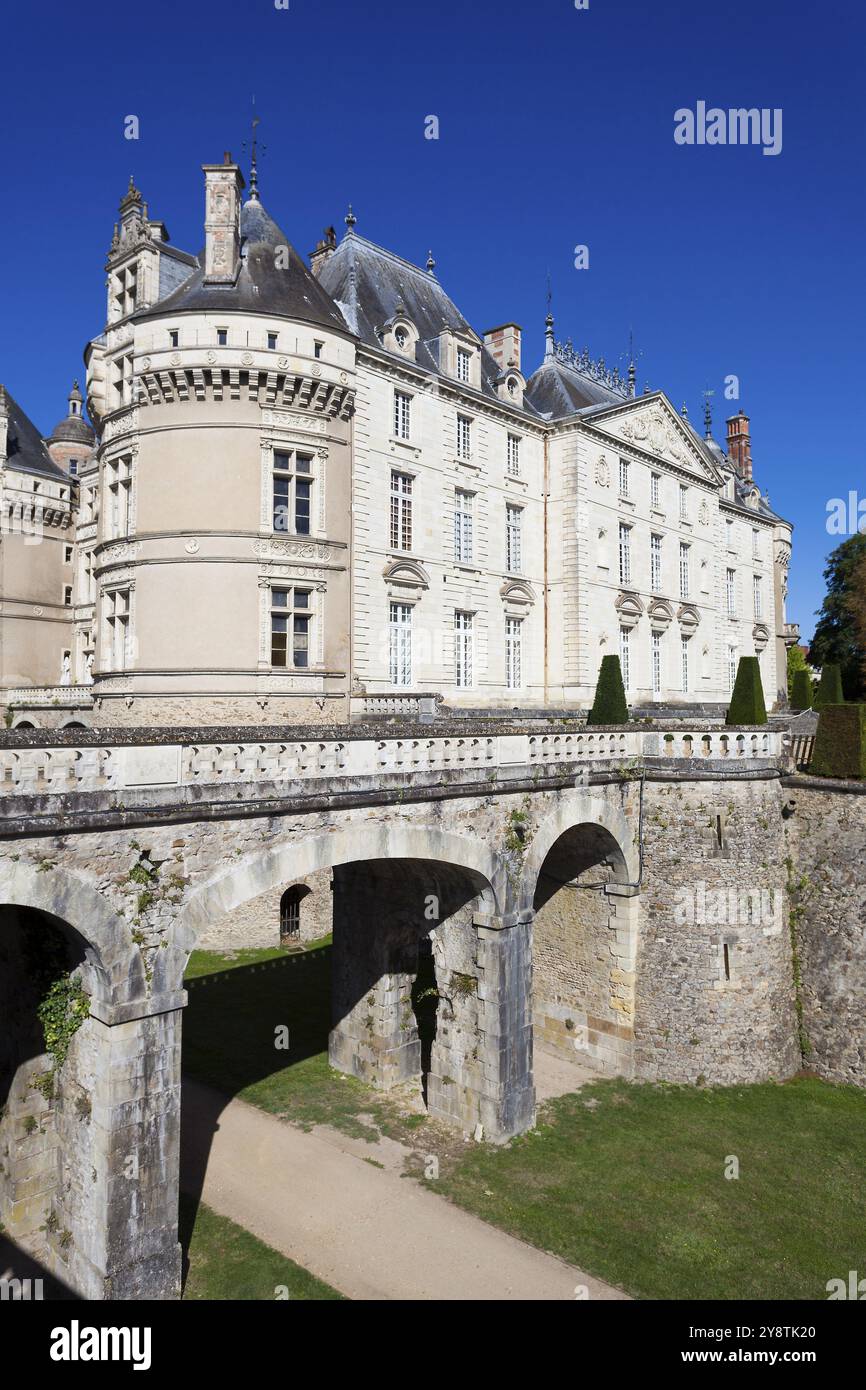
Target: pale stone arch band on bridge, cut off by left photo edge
116,975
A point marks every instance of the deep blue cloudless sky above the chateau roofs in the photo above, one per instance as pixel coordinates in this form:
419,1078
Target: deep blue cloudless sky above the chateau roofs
555,130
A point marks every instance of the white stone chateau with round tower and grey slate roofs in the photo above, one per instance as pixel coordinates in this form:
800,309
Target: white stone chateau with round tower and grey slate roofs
311,494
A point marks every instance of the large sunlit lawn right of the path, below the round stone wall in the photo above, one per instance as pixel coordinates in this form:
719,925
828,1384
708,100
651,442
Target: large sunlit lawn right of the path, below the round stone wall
628,1182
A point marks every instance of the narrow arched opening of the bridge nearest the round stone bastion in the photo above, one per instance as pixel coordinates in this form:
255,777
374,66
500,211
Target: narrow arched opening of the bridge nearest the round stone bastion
583,950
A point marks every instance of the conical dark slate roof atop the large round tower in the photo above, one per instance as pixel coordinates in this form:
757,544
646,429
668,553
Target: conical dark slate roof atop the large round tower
262,287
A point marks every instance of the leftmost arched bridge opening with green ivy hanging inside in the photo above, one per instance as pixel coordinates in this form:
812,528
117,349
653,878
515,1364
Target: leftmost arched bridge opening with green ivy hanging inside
44,1093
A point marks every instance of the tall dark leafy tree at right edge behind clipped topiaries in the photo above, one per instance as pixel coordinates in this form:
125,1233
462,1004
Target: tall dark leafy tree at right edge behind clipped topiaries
839,636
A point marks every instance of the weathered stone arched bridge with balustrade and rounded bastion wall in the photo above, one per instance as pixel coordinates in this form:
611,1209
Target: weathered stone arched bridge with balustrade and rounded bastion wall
554,878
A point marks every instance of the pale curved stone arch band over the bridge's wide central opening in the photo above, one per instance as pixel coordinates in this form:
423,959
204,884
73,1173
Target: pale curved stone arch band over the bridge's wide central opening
294,860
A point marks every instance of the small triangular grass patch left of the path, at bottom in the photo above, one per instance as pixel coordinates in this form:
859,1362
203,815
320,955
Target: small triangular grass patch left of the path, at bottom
226,1263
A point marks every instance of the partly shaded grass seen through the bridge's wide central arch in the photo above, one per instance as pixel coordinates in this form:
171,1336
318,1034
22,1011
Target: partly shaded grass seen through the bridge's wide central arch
236,1004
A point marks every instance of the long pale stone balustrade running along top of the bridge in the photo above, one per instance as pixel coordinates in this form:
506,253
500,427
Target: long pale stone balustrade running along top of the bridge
52,765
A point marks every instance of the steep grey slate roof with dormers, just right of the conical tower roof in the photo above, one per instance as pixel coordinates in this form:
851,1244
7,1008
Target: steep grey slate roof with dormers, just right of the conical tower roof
369,283
